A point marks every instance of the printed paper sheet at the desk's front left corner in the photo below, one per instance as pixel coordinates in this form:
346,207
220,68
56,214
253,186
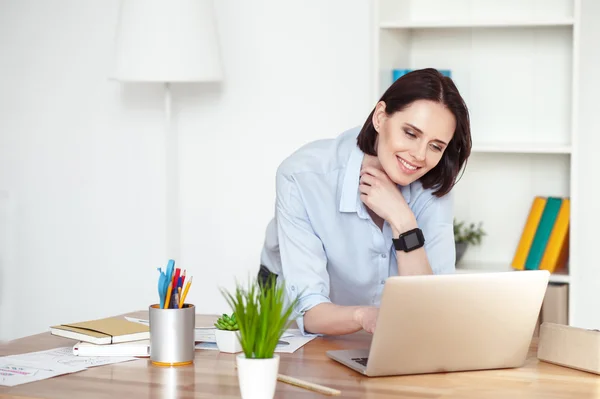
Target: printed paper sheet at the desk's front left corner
35,366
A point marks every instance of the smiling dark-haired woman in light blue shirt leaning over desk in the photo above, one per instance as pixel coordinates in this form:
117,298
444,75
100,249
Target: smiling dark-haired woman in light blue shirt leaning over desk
371,203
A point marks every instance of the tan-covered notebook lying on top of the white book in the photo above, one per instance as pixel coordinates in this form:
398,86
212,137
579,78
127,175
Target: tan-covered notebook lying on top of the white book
110,330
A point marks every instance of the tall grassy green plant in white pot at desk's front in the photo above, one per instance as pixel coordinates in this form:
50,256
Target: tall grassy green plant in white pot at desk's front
262,316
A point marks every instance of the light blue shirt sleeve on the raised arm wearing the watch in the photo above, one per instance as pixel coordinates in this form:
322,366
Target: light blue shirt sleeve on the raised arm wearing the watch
436,221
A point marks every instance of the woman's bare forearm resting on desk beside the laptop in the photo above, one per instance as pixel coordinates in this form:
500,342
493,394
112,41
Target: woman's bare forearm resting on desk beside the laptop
331,319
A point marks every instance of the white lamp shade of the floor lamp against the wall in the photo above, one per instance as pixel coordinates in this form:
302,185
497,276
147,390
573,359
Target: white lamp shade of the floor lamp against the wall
167,41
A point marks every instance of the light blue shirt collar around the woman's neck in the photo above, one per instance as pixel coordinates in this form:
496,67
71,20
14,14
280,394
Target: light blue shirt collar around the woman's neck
350,196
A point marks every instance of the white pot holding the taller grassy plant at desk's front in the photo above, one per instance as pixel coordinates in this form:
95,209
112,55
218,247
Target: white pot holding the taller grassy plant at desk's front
257,377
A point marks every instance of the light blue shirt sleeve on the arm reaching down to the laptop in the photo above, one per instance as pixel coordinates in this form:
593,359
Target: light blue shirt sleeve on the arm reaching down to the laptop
303,258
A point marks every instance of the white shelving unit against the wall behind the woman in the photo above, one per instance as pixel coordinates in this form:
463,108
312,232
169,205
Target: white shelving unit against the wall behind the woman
518,65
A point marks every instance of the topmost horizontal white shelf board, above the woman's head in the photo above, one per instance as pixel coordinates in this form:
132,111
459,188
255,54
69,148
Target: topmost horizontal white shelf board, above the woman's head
475,24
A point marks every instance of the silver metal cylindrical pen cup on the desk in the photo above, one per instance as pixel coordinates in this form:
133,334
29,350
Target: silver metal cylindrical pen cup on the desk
172,335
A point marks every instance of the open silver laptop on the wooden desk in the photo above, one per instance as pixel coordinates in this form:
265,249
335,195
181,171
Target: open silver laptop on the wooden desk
451,322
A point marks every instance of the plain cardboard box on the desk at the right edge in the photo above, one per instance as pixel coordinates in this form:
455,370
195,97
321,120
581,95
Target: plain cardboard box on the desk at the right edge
568,346
